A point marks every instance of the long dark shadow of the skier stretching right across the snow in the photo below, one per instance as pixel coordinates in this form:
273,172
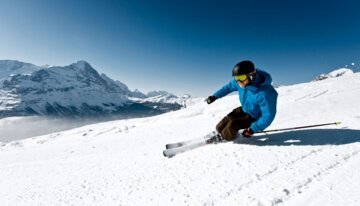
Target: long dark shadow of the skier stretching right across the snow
310,137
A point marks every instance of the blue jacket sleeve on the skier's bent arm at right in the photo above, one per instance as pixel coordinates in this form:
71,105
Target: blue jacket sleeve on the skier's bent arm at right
267,101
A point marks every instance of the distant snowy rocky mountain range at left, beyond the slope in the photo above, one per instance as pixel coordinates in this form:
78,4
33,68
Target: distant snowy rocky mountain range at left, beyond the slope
76,90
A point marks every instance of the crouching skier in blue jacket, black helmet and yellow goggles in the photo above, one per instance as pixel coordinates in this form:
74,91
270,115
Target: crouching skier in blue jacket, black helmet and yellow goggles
257,97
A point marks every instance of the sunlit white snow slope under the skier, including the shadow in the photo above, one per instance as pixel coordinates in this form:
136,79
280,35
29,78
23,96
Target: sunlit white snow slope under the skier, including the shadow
121,162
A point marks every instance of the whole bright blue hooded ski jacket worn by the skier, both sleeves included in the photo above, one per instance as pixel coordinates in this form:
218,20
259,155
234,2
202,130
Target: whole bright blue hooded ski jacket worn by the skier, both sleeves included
257,99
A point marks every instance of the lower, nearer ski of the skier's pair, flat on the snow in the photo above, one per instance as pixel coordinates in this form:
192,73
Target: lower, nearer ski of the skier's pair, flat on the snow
190,146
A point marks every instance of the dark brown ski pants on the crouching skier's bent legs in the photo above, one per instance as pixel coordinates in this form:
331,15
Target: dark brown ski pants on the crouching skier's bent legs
230,125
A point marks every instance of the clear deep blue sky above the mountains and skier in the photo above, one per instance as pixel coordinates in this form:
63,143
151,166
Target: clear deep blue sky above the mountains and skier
184,46
